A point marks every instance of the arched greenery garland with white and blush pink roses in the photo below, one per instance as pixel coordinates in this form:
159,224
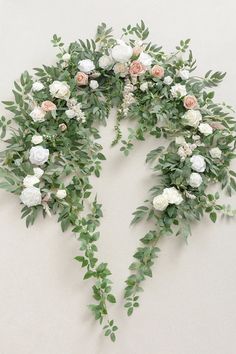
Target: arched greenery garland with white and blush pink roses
52,145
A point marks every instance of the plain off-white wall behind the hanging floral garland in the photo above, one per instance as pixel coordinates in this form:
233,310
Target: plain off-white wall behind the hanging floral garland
189,306
